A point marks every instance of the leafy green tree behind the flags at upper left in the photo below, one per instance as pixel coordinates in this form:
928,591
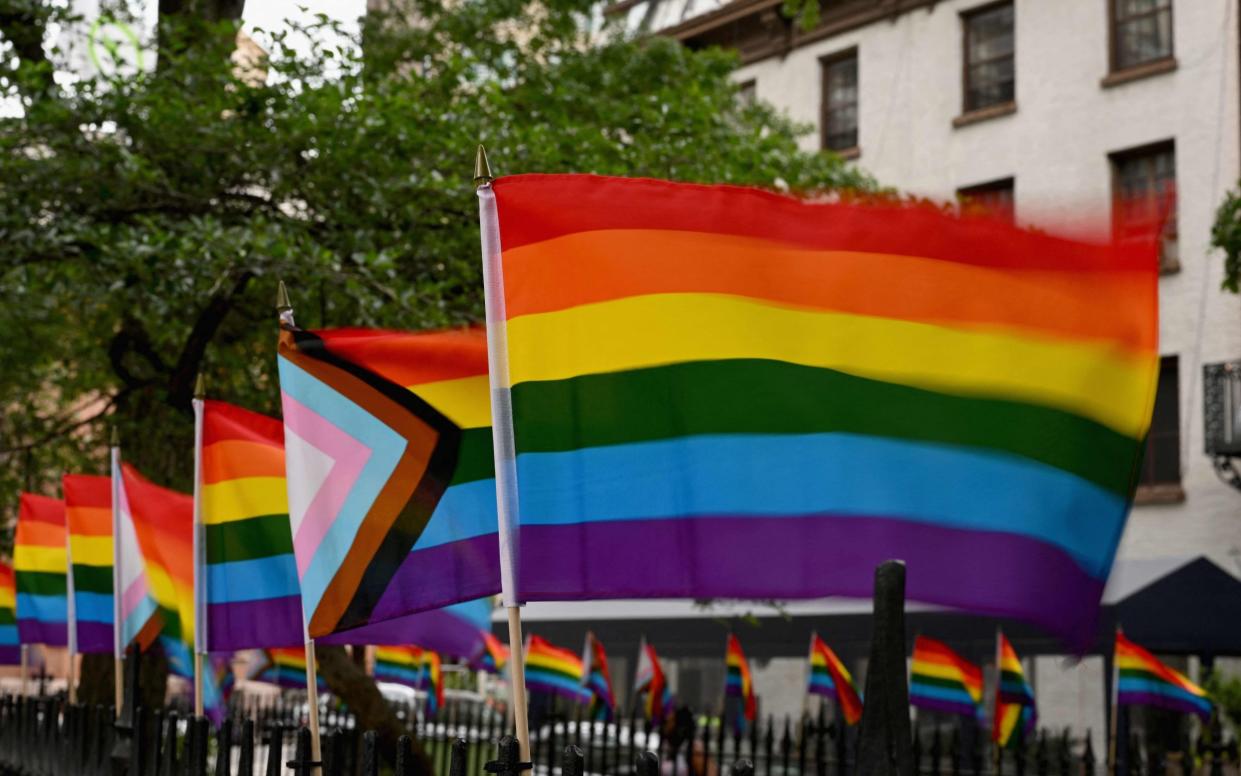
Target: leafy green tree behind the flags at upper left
146,220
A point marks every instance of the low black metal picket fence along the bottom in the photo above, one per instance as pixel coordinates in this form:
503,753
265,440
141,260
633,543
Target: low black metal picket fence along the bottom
45,737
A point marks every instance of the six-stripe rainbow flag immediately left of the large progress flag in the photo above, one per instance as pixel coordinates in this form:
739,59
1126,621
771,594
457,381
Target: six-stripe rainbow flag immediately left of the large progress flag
253,594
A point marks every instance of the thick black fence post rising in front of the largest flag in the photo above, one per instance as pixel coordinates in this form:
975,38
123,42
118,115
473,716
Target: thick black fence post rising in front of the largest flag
884,744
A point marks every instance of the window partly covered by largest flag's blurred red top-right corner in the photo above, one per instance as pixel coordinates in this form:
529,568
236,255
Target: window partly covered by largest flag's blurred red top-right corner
1145,198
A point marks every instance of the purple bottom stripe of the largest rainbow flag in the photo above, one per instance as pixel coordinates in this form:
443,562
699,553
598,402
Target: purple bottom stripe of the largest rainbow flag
987,573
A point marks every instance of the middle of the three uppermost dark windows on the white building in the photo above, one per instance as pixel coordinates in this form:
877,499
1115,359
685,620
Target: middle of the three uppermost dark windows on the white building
990,69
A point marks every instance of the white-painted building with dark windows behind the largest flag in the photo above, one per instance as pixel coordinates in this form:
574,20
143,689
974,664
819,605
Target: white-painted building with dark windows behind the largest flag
1078,116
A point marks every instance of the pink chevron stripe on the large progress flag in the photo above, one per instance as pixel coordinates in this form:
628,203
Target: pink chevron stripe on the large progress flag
349,459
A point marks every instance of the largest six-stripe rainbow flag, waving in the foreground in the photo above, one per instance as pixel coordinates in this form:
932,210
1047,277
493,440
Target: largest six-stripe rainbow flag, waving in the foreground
712,379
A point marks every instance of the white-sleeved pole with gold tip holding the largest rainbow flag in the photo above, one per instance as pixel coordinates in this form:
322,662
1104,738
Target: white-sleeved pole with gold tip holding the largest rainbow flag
502,434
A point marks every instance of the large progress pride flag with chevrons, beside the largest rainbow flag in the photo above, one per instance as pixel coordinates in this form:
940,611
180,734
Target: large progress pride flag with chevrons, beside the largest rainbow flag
390,469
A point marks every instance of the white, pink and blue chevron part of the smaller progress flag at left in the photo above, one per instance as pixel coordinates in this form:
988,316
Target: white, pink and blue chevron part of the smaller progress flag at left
137,610
